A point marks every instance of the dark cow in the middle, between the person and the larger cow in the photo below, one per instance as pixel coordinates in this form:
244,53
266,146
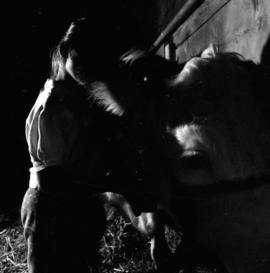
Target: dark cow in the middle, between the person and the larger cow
133,96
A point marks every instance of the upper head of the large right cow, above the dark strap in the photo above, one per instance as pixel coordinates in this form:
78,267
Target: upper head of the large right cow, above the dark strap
215,126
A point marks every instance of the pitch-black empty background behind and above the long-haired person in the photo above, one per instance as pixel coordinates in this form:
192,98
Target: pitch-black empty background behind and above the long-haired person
29,33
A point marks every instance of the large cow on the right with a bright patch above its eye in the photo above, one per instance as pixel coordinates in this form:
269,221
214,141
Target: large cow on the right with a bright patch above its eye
210,126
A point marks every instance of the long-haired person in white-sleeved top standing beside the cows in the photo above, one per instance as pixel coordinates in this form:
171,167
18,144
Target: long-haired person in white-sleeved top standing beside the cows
69,141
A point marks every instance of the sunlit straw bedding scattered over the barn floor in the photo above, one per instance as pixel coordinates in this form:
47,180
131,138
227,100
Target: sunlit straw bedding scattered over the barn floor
122,250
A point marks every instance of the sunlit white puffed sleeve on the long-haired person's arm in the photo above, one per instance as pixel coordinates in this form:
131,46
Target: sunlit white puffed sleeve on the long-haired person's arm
47,129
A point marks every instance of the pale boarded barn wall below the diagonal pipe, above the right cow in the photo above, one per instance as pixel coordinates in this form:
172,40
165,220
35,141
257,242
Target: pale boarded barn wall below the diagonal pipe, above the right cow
236,25
